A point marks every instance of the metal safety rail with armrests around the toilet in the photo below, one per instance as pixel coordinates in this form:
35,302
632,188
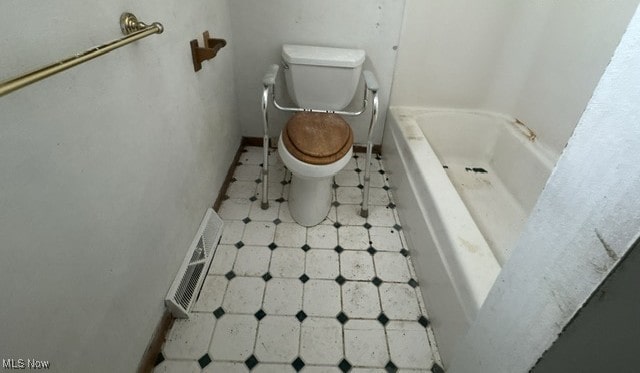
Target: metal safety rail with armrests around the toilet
269,90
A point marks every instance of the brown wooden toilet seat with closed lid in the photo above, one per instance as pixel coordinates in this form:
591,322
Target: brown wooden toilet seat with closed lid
317,138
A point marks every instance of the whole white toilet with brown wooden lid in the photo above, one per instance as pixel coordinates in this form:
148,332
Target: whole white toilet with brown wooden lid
315,145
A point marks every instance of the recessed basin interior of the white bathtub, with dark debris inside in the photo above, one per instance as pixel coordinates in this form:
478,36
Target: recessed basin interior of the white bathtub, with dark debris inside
496,168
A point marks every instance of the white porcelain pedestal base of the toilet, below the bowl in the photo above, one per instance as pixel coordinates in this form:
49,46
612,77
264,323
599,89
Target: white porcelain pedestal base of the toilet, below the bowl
310,199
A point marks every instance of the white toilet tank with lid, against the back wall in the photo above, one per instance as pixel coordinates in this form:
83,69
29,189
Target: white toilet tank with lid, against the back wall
320,77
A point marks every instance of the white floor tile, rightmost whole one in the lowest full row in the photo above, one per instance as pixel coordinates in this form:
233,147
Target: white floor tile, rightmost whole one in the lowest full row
409,345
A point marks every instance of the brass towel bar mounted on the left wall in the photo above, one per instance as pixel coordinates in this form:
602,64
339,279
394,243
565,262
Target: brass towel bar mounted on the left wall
130,26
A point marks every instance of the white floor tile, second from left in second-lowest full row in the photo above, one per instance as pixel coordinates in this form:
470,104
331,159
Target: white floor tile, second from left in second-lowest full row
244,295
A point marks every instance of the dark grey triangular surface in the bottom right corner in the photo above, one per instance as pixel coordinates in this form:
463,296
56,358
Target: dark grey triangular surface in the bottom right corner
603,337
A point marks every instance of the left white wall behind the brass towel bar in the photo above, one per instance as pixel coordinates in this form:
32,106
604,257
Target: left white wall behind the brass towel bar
107,170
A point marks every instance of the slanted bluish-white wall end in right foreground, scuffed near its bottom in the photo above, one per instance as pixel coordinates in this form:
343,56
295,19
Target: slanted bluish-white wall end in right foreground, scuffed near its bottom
586,219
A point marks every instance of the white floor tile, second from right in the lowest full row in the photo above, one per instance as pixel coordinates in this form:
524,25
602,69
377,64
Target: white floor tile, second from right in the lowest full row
365,343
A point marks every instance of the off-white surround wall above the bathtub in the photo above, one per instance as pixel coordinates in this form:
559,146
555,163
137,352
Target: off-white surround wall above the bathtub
537,61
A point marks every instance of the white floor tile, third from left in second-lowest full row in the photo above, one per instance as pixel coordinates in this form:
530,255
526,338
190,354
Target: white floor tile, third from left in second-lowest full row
283,296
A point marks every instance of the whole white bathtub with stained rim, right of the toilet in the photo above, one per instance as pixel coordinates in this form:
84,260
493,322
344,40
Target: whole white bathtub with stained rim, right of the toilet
465,184
